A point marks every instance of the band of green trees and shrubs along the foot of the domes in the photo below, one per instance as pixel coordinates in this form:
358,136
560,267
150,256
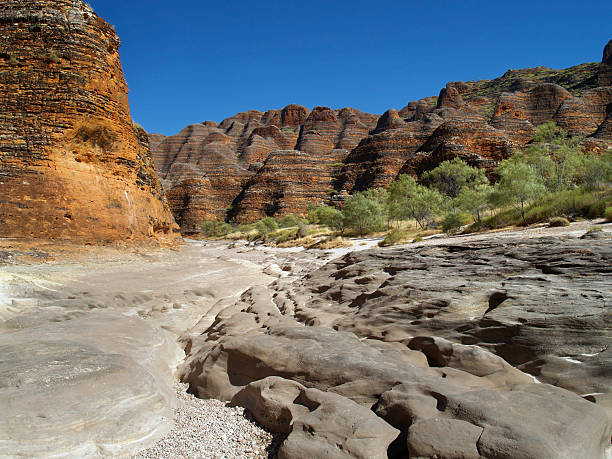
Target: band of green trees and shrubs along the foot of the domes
552,177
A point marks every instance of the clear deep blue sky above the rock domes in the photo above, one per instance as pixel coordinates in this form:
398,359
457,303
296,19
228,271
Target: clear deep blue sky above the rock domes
190,61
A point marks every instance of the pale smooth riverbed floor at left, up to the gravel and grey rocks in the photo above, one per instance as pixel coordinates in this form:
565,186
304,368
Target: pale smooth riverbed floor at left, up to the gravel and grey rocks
88,348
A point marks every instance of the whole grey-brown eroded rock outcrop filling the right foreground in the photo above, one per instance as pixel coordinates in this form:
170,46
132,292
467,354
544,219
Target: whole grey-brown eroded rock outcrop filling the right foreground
441,341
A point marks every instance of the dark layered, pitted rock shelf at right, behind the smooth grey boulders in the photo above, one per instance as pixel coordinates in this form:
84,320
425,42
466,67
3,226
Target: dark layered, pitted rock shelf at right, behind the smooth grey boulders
496,295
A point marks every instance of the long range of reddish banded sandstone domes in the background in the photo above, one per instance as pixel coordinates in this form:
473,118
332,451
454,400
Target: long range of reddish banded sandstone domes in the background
274,163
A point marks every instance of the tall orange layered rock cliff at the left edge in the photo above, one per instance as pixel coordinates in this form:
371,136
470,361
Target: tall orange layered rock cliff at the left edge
72,164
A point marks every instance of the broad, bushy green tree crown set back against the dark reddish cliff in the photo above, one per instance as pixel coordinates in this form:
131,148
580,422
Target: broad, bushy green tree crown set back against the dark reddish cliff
450,177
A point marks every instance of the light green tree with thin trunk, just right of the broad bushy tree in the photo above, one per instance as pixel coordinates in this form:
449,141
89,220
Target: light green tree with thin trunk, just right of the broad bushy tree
518,183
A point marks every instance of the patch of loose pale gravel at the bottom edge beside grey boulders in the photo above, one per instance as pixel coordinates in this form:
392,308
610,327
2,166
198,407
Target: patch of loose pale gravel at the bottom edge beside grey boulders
210,429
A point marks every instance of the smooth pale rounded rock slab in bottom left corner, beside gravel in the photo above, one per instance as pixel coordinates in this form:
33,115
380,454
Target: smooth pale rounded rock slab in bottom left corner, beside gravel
82,384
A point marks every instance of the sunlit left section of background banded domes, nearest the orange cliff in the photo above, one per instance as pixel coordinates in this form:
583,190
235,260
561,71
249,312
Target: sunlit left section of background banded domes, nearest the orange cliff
255,164
